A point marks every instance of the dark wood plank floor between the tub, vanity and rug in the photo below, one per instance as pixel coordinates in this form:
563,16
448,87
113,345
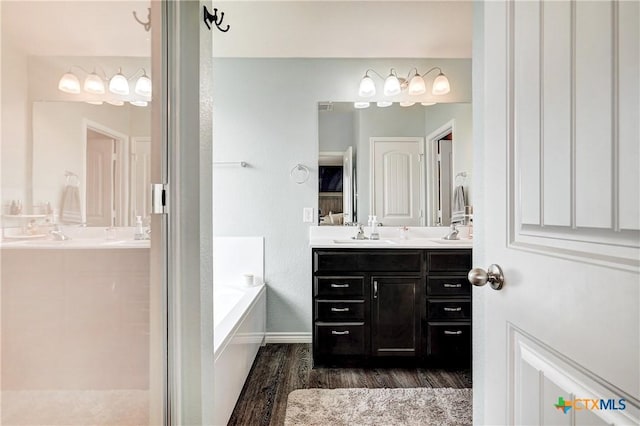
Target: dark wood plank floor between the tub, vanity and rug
282,368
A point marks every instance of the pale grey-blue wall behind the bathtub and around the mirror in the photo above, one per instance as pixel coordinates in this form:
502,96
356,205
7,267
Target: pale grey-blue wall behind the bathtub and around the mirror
265,113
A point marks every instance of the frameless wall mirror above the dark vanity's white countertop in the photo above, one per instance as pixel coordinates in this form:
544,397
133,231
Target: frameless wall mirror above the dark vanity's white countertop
409,166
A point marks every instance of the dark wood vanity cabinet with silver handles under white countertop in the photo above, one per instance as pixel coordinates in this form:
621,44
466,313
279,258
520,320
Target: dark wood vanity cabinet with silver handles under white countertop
391,307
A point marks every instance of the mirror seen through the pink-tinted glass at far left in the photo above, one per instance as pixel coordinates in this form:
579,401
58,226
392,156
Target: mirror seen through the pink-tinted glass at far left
102,150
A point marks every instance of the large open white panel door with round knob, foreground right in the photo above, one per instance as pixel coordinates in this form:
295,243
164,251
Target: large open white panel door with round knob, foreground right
556,150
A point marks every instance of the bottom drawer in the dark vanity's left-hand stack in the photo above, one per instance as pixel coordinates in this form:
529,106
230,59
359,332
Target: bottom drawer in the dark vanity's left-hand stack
339,339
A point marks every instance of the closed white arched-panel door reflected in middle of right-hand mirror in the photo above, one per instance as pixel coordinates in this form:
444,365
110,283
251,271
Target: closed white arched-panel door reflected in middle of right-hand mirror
397,181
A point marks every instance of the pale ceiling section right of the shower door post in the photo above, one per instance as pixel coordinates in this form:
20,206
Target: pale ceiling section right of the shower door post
345,29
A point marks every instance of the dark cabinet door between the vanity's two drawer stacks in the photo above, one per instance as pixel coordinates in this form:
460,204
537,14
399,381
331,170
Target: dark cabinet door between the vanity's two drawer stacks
396,312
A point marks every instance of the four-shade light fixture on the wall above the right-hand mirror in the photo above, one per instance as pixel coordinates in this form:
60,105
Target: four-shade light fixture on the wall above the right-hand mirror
414,83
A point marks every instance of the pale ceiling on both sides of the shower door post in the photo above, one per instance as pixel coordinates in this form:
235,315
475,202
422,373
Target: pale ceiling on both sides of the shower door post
313,29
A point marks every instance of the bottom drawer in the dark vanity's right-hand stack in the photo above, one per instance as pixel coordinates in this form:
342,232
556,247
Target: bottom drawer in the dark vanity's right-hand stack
449,340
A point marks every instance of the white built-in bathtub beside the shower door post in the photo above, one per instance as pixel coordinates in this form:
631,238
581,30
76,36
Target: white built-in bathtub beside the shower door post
239,330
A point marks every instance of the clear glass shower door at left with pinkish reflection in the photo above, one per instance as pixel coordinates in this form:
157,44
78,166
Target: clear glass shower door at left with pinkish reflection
82,317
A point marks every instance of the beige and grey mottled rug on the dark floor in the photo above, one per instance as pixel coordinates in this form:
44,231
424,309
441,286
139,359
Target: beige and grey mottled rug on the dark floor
389,407
